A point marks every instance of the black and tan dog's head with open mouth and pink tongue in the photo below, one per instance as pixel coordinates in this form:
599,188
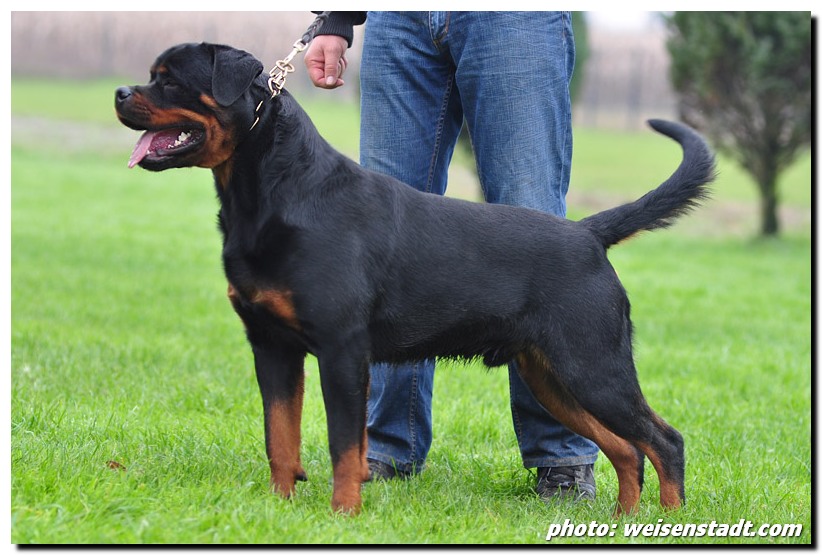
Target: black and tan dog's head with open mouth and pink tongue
194,109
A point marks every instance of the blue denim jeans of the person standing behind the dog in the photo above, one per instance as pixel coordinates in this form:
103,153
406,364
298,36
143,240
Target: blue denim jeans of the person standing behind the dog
506,74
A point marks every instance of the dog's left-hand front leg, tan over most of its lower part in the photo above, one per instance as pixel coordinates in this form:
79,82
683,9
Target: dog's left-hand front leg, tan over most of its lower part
280,376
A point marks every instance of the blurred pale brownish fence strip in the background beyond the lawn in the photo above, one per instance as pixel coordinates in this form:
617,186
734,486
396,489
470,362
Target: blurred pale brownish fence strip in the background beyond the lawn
624,82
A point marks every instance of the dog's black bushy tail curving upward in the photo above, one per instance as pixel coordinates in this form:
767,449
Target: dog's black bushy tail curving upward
678,195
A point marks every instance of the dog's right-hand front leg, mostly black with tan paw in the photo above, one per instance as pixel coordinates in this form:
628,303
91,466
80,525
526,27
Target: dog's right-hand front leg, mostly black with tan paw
344,378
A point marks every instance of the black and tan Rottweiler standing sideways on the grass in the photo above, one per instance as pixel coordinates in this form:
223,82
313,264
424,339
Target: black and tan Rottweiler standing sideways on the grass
325,257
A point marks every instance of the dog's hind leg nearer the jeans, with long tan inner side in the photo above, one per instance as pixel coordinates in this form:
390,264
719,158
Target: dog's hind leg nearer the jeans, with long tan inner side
627,460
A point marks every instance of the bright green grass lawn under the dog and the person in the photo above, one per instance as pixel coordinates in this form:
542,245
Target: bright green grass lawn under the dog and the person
125,349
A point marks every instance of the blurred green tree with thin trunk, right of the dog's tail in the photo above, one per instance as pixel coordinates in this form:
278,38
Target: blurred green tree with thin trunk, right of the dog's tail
745,80
